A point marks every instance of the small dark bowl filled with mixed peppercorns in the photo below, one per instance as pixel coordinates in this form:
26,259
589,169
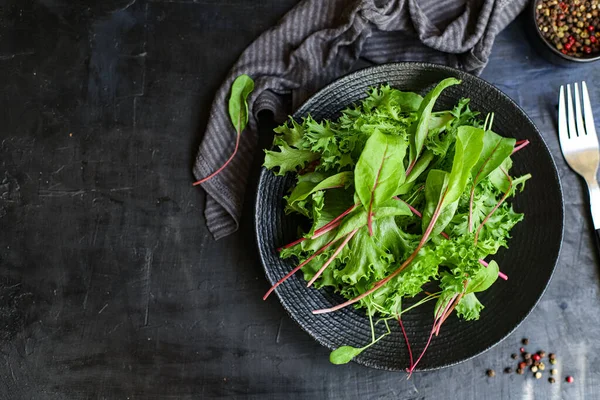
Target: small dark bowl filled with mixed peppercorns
567,32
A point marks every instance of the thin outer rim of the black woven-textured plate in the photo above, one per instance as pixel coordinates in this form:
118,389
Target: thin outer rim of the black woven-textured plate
462,75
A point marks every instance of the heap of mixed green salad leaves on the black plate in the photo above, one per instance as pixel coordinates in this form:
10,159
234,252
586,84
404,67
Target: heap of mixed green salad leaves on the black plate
405,205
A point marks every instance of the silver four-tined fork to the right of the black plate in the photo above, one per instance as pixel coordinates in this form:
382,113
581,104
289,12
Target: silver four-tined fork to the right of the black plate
579,143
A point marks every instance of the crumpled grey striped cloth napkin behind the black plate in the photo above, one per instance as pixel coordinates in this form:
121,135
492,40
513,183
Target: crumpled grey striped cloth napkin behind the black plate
316,42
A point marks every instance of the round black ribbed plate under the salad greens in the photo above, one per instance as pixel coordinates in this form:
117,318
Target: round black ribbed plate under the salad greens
529,263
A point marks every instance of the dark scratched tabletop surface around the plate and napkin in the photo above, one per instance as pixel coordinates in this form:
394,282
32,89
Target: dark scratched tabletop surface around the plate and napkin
110,285
